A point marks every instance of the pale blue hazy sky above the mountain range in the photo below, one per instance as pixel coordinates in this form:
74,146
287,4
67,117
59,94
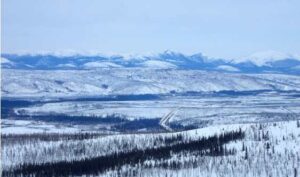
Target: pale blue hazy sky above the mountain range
217,28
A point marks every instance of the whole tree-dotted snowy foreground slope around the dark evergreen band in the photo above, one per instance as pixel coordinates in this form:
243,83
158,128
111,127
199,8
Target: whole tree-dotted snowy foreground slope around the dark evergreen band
270,149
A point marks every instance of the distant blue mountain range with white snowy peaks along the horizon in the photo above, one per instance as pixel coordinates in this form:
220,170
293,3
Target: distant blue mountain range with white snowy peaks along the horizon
264,62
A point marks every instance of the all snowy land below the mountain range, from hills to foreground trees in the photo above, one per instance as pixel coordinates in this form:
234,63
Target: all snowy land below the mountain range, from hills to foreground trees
149,122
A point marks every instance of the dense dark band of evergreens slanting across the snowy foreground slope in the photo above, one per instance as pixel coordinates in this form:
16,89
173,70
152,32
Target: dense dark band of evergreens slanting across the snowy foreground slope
213,146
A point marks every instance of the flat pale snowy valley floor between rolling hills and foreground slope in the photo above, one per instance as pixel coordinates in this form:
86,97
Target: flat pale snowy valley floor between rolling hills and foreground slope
198,111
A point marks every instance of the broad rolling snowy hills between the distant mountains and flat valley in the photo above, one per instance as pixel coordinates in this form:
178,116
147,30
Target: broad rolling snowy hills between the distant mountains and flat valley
62,83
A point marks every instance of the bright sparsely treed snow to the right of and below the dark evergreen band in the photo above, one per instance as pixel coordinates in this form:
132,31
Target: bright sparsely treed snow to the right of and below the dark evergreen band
270,149
